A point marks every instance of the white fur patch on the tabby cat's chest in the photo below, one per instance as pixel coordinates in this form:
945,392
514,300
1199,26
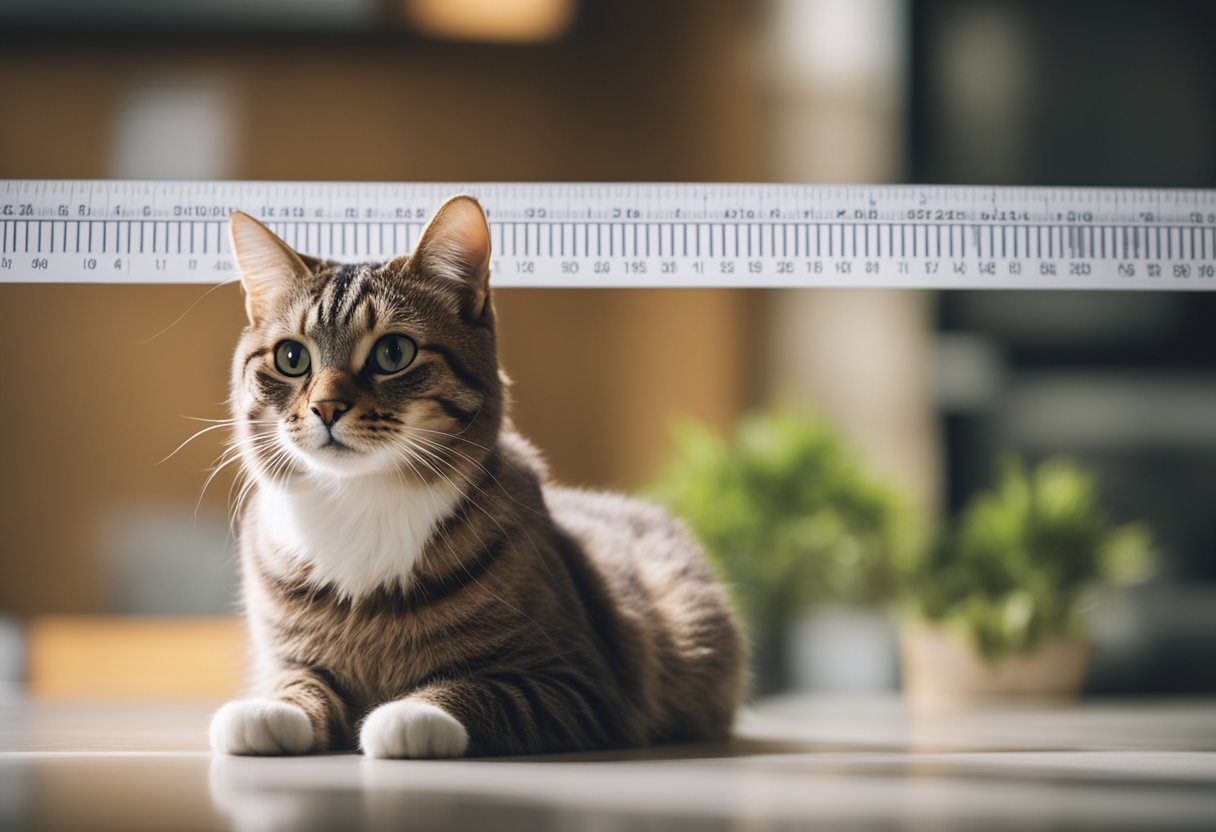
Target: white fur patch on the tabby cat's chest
357,535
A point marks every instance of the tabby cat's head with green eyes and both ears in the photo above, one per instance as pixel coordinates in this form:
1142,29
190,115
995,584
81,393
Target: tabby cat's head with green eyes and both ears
370,369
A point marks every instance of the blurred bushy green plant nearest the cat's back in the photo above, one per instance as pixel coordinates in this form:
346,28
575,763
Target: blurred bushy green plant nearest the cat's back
790,516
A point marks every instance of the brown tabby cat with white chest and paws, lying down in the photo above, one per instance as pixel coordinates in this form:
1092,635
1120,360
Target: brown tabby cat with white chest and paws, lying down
414,583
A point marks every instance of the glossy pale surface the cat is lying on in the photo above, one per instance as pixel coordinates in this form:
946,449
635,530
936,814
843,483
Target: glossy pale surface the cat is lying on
796,764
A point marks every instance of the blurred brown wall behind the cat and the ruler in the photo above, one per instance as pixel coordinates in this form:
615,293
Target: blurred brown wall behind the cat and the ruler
661,92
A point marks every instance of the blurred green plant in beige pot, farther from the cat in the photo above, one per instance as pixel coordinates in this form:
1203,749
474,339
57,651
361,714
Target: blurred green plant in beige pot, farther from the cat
998,603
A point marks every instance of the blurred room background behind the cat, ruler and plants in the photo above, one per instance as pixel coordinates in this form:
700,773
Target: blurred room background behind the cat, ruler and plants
100,546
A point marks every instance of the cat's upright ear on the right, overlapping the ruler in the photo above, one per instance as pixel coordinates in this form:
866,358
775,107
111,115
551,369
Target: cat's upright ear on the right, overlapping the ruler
457,246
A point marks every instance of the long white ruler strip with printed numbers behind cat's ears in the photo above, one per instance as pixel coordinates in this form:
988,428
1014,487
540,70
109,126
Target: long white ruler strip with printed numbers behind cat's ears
598,235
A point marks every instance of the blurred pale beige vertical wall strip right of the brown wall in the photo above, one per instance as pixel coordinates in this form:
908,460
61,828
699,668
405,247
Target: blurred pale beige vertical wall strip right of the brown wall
836,89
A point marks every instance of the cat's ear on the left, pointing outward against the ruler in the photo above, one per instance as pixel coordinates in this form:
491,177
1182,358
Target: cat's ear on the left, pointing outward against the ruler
268,266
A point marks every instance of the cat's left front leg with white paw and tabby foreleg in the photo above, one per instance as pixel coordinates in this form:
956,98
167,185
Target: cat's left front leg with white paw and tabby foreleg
302,716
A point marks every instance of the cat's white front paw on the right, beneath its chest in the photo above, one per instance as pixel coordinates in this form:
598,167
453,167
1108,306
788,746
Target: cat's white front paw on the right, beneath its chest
413,729
